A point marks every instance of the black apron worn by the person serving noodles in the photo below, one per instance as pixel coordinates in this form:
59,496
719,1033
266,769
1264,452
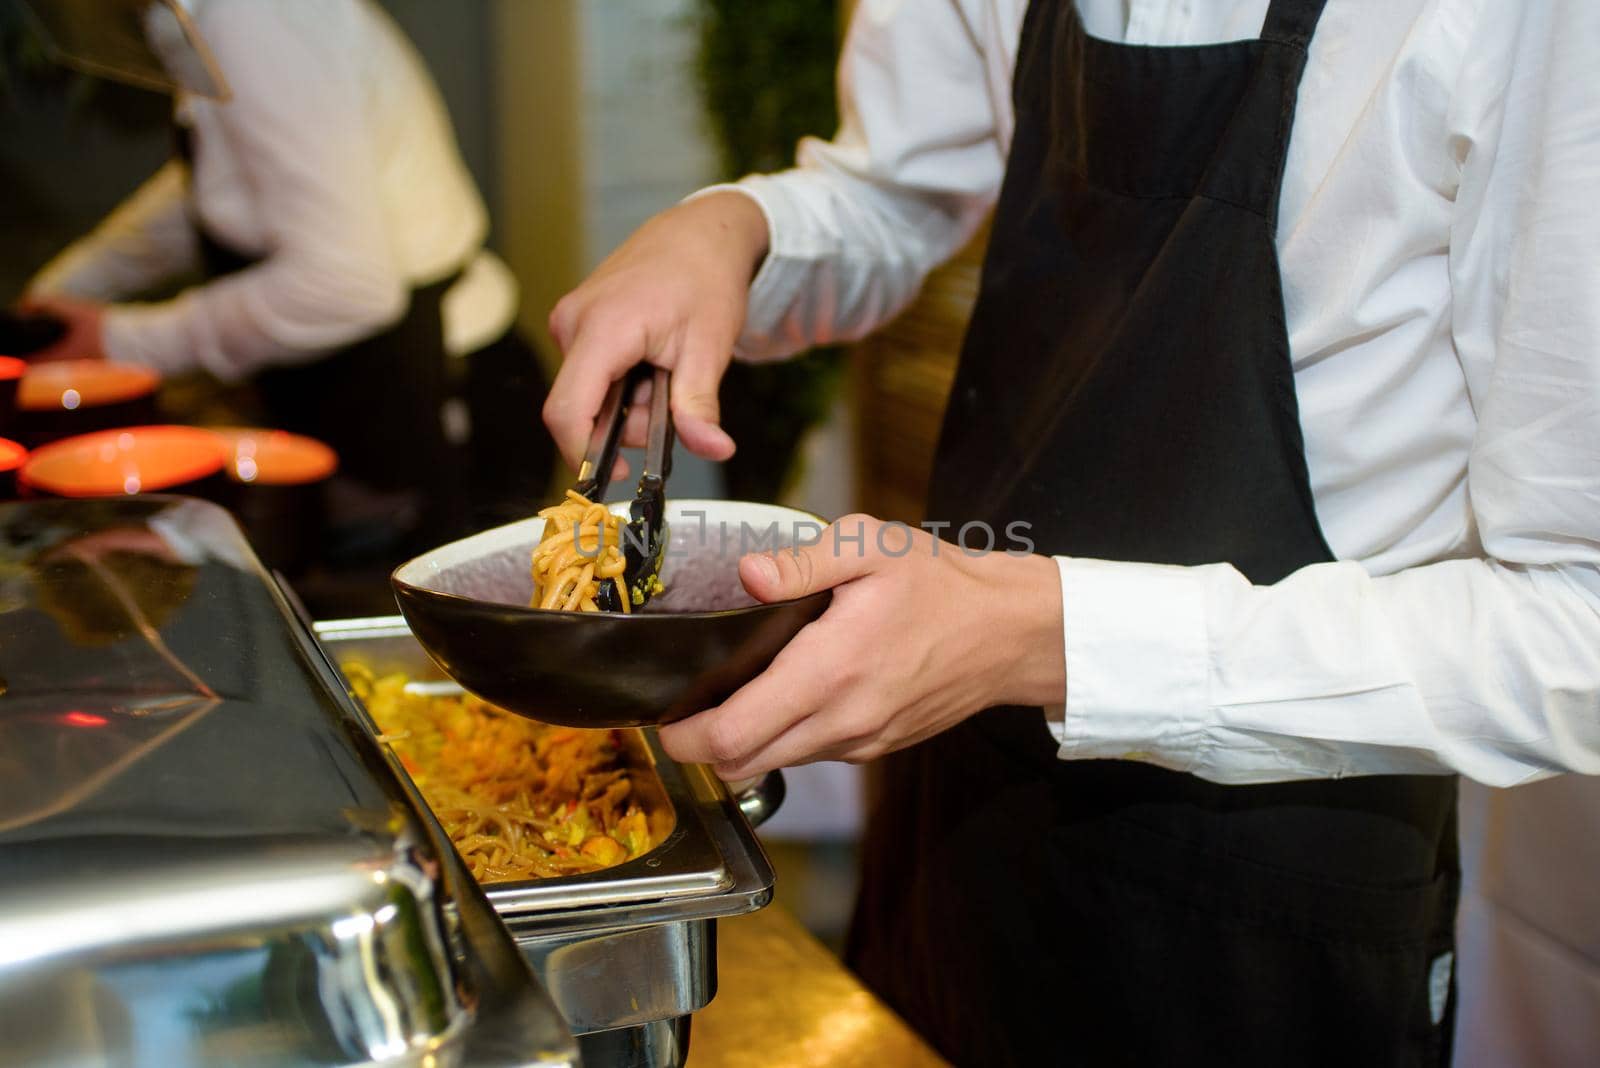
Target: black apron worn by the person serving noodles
1126,388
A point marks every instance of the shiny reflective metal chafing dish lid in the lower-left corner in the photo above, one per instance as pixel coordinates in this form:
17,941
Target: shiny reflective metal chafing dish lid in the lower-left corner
204,858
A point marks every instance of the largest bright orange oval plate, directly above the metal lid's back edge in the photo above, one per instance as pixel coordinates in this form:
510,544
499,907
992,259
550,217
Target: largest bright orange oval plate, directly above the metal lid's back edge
129,461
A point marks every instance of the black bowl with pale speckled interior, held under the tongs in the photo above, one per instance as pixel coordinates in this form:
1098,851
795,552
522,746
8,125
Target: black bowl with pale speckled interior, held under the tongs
694,645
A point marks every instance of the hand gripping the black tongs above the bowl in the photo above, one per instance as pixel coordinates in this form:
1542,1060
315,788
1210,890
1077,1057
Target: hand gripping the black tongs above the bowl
674,297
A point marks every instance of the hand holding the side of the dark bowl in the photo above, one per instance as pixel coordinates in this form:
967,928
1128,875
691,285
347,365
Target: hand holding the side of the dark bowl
919,637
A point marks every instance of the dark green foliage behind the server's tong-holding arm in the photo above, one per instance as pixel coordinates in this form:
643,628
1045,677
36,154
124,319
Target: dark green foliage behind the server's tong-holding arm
767,76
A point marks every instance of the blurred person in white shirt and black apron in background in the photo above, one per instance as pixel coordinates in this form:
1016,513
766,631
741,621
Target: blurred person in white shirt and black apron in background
340,239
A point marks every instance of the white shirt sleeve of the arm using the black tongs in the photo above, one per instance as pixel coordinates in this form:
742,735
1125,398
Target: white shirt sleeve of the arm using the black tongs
908,180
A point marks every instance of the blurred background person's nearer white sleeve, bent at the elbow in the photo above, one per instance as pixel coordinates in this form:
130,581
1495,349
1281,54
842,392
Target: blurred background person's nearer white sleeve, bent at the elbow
297,132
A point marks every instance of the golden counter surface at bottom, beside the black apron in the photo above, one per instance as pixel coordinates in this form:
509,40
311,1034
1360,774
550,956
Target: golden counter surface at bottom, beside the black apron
785,995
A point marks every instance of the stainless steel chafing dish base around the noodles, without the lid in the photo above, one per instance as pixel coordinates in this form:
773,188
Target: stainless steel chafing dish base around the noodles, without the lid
626,954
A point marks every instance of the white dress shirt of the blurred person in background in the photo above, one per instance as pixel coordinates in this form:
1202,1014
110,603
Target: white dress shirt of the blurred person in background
334,164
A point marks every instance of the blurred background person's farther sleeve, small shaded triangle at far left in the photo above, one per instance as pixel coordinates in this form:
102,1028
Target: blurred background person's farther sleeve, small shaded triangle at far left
148,241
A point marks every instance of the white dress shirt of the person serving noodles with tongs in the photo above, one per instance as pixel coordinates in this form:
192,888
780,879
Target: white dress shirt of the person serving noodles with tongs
1441,255
